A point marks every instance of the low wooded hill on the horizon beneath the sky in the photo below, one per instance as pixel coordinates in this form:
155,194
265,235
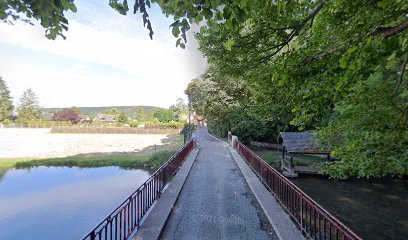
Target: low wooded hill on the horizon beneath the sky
92,111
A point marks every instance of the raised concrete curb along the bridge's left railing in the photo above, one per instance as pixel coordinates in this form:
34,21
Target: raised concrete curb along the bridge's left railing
155,222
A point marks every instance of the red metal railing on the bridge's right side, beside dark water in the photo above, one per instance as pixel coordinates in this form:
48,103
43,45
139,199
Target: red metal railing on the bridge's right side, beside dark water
313,220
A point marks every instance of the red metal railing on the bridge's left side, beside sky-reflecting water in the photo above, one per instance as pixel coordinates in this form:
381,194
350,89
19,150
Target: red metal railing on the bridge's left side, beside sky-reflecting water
125,219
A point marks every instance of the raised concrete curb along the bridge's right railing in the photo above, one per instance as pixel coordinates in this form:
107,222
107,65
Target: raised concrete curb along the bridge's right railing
282,224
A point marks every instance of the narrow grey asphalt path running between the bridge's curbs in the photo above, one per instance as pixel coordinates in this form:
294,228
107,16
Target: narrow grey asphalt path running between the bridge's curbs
216,202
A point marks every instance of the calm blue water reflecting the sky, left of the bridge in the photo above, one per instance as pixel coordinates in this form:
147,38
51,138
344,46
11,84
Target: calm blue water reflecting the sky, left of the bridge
60,202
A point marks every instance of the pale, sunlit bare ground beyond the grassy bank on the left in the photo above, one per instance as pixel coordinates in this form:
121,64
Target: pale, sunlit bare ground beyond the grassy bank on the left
40,143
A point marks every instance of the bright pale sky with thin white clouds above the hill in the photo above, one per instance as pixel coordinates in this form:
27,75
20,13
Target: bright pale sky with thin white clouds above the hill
107,60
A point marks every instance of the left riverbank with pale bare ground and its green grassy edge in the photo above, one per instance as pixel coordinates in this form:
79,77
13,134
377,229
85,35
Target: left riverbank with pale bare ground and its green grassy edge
23,148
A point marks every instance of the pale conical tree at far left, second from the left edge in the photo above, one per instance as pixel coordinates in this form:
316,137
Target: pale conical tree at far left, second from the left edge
28,108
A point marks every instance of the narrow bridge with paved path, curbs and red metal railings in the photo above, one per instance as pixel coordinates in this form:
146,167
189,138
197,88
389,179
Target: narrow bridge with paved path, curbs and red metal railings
212,189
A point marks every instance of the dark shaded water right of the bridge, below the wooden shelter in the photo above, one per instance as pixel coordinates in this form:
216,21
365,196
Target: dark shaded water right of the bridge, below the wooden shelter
375,209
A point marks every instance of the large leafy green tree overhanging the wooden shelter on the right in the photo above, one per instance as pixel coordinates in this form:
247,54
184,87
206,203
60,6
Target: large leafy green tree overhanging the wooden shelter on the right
334,67
